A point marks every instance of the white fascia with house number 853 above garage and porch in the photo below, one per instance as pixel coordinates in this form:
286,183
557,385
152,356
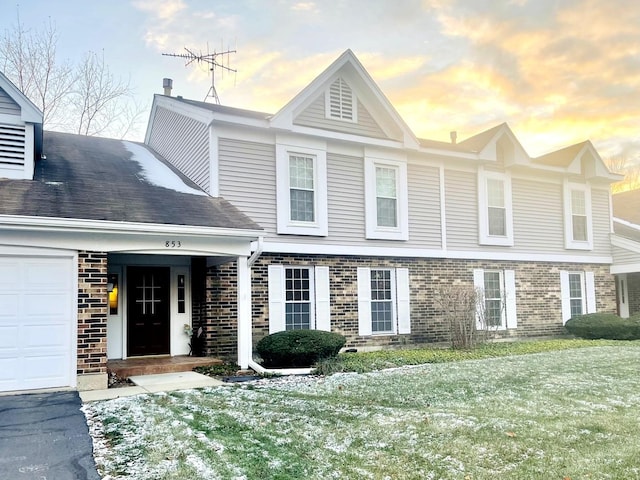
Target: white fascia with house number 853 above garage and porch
126,237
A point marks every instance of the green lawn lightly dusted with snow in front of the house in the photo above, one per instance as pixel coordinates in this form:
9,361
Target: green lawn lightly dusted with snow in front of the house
553,415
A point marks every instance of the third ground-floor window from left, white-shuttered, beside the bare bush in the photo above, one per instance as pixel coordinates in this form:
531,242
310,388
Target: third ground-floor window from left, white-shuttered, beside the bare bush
497,303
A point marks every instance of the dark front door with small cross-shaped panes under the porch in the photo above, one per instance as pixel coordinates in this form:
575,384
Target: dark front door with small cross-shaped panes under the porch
147,311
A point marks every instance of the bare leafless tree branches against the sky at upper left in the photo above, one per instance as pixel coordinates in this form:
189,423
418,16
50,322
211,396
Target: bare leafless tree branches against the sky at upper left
86,99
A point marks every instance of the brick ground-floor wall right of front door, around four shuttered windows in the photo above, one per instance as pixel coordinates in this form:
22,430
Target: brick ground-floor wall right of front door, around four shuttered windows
538,297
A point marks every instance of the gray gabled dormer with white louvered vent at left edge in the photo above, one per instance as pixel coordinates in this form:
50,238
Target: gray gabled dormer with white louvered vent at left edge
20,132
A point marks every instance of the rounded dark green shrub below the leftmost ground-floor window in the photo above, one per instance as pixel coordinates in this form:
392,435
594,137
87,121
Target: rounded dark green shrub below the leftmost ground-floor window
298,348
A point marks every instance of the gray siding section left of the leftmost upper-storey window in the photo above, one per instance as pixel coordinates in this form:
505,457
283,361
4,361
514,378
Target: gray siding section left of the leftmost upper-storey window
247,173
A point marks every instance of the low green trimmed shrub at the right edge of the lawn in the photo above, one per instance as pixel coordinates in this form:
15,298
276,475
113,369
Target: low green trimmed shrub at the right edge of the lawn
604,325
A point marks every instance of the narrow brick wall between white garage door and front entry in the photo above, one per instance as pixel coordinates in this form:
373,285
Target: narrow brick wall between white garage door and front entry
92,312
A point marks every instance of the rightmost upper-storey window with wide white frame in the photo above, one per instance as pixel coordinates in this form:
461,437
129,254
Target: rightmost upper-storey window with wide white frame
577,216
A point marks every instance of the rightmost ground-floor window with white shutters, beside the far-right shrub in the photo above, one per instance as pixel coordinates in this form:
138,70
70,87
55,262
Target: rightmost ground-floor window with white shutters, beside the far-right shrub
577,289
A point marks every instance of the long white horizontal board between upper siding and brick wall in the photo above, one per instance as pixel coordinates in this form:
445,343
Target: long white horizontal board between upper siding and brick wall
370,251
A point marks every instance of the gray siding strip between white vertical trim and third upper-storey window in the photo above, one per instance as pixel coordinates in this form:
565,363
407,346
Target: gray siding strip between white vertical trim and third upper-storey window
461,207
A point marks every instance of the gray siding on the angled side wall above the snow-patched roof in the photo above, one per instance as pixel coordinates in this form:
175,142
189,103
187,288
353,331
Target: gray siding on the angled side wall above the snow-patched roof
184,142
